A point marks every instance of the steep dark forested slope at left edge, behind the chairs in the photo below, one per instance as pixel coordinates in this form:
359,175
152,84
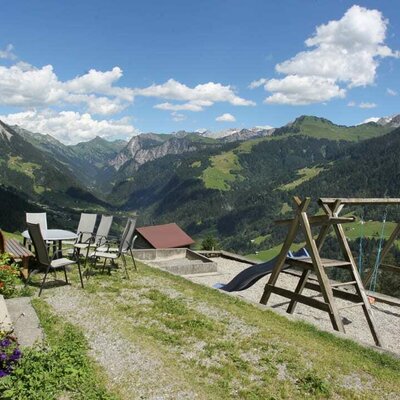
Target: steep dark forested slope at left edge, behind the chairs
33,179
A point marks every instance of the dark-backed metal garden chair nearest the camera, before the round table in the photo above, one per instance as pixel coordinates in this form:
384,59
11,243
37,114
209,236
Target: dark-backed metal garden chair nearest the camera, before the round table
42,257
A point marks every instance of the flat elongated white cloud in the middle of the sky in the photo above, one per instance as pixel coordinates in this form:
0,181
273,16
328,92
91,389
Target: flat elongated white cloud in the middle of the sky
202,95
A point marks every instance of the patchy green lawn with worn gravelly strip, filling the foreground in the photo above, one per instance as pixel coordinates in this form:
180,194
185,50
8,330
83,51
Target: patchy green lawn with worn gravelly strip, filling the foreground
192,342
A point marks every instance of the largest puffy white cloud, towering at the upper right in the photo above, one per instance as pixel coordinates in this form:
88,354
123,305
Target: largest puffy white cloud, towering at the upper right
343,52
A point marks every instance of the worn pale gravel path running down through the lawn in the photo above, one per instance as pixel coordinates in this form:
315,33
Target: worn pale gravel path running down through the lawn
134,371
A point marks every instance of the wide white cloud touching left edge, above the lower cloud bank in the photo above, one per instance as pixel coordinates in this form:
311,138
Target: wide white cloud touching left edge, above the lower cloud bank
23,85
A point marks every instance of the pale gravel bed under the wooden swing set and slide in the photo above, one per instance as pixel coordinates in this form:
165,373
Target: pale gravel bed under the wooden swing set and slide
387,317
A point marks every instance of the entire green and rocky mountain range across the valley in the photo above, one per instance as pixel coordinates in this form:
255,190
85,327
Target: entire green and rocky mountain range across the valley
231,184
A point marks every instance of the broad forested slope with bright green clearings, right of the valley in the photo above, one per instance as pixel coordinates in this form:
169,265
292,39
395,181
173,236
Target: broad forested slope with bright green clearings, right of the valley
262,179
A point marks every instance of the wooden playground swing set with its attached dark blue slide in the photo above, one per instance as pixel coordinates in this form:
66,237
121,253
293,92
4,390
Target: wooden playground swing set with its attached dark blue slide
310,261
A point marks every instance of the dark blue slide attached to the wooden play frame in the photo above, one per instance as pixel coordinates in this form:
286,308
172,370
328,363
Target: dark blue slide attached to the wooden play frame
251,275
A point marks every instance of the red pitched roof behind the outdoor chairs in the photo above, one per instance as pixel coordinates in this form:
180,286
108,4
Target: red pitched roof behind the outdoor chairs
165,236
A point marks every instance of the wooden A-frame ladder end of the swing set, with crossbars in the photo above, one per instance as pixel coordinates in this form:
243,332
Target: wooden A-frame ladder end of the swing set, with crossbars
316,264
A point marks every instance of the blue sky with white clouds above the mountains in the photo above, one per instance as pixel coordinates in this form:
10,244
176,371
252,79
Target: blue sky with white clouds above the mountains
81,69
